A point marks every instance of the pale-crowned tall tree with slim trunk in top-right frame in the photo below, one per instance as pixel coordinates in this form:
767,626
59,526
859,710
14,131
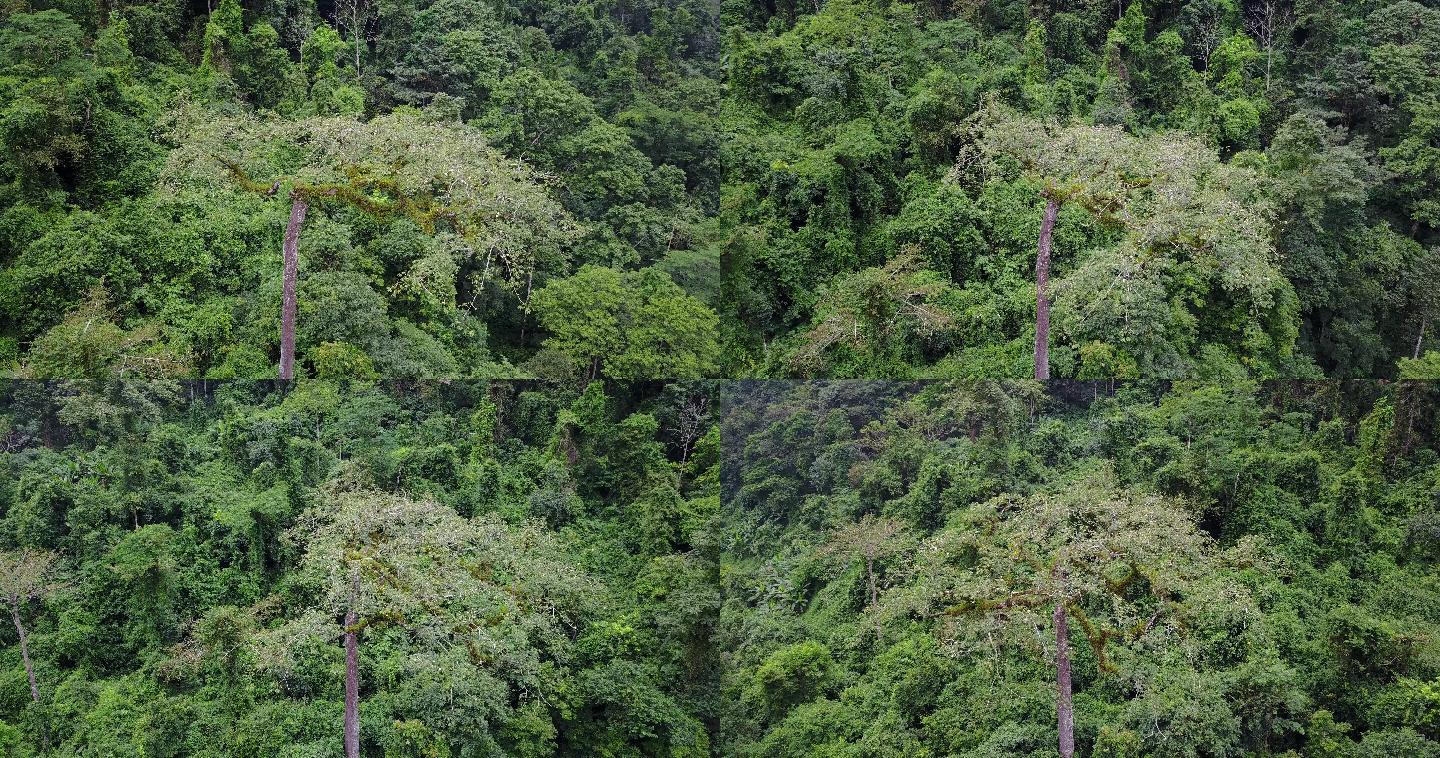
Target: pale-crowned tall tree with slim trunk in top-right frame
1173,207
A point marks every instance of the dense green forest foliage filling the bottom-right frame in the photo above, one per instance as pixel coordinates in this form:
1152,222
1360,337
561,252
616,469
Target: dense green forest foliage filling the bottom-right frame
1233,570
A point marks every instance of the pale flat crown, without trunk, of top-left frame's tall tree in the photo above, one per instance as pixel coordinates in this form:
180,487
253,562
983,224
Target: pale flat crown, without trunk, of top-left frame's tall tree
443,177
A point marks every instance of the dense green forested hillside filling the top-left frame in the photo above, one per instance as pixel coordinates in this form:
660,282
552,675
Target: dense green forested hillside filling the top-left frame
493,189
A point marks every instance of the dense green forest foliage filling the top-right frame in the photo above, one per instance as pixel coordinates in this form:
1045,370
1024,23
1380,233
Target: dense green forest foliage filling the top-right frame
882,215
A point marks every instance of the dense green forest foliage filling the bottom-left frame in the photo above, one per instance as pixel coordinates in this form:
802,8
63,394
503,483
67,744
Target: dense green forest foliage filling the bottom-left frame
521,570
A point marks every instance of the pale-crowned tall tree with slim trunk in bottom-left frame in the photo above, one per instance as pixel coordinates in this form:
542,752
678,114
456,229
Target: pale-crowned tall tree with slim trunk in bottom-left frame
453,586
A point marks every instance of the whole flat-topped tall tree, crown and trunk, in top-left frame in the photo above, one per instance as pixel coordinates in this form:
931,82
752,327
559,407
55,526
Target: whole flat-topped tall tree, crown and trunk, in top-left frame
499,226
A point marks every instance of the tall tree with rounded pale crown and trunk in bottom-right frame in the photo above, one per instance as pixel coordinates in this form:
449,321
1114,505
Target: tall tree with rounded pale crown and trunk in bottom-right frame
1112,560
